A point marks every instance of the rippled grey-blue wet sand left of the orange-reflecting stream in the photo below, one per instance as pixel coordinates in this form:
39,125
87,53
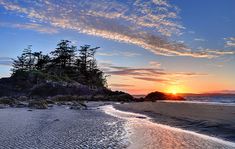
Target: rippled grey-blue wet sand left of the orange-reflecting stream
60,128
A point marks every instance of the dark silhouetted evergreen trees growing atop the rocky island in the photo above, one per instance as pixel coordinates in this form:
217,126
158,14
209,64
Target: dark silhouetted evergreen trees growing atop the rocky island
66,62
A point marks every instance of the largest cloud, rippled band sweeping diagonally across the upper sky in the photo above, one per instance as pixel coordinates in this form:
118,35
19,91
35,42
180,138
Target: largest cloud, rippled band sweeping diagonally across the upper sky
147,24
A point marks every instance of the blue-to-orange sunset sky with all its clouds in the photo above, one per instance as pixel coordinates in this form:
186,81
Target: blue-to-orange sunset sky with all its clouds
185,46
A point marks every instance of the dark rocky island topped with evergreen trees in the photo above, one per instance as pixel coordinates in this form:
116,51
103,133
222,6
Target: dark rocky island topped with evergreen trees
65,74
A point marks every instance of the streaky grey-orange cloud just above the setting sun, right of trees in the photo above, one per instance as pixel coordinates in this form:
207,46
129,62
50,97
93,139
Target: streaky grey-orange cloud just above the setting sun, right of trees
151,74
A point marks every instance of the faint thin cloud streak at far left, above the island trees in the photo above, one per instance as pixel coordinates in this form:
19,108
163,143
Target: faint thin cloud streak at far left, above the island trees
32,26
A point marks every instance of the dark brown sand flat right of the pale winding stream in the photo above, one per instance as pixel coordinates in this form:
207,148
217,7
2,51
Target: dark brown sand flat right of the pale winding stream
209,119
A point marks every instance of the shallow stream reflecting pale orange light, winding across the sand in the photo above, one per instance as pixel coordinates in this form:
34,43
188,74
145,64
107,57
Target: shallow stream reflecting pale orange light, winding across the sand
146,134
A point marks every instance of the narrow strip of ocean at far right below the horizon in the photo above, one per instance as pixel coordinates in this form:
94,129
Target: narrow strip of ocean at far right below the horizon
211,98
